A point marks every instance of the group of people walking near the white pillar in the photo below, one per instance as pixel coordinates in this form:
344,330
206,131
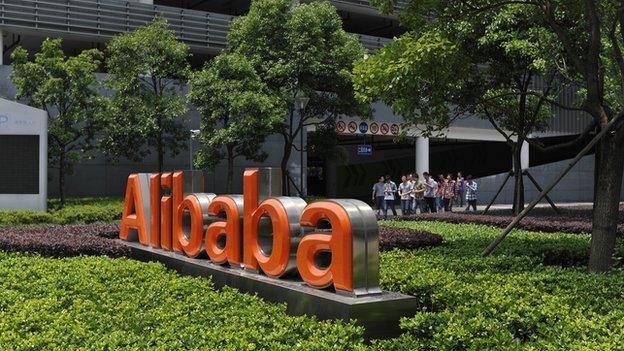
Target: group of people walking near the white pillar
426,195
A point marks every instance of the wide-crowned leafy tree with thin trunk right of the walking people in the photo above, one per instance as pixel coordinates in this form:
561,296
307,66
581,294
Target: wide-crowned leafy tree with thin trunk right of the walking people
417,76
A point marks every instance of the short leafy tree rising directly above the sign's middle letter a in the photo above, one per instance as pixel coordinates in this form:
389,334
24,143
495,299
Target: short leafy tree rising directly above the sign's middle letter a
238,111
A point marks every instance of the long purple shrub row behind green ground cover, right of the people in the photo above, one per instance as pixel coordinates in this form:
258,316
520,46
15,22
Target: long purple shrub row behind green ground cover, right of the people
550,224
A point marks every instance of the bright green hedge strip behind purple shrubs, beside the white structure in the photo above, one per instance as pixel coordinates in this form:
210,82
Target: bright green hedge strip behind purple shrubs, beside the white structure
83,210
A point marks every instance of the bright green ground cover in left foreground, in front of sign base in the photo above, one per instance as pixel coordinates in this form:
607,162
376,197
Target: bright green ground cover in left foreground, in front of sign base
108,304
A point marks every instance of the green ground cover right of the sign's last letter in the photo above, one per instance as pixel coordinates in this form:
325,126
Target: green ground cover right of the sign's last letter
514,299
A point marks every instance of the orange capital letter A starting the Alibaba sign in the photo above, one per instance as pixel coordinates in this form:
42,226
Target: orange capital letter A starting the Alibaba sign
133,220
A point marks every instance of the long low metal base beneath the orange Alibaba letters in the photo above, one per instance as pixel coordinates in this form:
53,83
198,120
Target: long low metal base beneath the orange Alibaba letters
379,314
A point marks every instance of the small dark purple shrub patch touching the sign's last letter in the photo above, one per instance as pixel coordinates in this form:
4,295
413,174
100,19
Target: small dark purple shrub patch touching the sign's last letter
391,237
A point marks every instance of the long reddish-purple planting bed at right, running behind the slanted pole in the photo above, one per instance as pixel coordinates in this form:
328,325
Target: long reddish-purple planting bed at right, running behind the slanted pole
570,219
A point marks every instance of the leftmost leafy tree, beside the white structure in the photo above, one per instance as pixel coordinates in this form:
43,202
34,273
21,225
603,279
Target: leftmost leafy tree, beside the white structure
66,87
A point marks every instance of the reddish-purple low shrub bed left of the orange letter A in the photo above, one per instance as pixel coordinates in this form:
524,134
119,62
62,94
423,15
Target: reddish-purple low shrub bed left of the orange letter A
62,241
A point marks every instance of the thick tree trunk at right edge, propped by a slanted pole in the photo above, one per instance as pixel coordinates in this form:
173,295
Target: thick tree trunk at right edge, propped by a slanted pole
607,201
